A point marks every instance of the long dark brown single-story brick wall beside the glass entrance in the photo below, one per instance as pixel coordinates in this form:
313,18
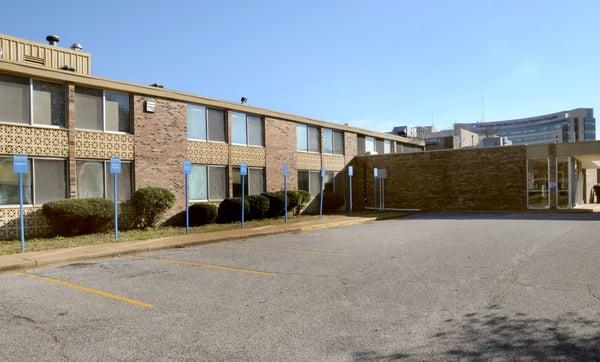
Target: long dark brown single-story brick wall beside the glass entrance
466,179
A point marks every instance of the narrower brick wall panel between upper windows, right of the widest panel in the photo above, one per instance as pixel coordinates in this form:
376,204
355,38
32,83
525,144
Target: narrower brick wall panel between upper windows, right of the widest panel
280,148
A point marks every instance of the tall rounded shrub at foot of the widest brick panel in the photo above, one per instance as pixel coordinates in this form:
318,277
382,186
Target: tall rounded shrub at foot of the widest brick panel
149,204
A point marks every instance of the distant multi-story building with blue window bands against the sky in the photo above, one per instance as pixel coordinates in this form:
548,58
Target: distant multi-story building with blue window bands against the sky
566,126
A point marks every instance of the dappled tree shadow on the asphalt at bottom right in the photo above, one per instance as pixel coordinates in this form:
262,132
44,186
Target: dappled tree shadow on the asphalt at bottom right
494,335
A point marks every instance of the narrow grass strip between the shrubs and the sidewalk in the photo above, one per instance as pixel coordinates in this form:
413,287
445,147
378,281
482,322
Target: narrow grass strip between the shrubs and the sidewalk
57,242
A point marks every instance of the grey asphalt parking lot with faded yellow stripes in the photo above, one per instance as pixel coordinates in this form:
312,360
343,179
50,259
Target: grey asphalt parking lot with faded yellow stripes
425,287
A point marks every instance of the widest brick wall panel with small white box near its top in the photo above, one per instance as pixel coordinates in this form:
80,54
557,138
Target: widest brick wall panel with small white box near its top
161,146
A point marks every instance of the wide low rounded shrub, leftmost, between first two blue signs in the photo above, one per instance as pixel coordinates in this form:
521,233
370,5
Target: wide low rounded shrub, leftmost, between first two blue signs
79,216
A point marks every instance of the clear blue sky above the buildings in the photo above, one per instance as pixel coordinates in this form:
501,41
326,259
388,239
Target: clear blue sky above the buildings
372,64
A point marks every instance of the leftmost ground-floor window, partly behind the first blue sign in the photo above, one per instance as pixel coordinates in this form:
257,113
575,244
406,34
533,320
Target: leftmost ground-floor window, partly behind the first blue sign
49,181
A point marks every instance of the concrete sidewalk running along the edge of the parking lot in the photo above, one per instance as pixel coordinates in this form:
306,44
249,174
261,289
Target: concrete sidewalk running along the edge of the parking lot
58,256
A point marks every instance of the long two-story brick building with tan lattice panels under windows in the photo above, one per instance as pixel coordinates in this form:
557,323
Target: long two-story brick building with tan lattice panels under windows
70,123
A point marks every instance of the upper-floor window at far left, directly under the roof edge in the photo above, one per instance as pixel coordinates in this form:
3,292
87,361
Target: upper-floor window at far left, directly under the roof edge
31,101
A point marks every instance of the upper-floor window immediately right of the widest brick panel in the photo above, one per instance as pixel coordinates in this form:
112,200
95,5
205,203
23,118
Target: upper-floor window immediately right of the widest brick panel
205,123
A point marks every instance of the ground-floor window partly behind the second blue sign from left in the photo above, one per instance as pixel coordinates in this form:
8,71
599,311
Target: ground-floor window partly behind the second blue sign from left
95,180
